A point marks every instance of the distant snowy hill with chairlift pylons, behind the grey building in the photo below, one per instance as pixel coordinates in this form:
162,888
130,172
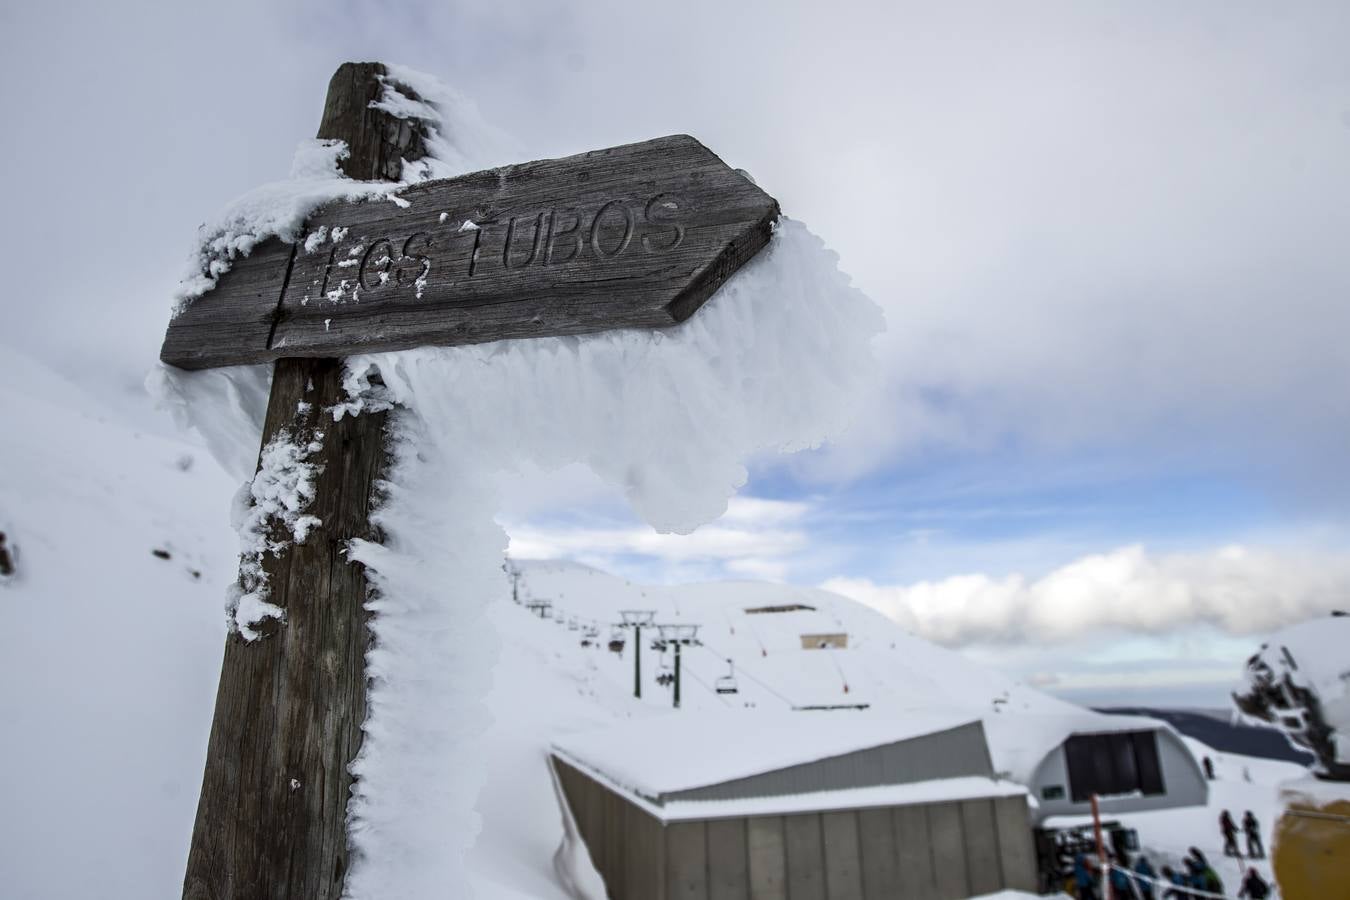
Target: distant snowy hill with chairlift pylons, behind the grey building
882,665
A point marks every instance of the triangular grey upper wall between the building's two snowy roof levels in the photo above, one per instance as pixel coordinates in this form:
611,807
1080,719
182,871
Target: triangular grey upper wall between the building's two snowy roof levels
944,755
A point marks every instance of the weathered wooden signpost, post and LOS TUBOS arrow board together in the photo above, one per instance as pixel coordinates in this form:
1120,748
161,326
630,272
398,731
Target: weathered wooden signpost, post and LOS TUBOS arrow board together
634,237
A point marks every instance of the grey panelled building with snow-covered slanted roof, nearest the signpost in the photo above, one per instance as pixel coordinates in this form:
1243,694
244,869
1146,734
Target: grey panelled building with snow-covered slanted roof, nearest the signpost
730,806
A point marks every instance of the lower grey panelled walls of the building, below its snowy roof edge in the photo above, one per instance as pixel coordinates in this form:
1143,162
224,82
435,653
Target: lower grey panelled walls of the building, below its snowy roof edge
927,852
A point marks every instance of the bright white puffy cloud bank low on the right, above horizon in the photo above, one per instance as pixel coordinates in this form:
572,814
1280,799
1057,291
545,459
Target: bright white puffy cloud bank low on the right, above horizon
1236,589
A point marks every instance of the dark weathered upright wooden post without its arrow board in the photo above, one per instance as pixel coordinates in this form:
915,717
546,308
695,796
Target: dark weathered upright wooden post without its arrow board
272,821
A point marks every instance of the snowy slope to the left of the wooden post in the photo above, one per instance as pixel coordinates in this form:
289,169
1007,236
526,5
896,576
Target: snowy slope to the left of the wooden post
109,654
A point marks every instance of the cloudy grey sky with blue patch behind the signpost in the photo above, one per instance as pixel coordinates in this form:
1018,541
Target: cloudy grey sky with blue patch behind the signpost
1109,449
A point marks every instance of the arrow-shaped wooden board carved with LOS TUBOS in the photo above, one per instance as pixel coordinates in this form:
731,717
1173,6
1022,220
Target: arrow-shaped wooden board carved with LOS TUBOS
634,237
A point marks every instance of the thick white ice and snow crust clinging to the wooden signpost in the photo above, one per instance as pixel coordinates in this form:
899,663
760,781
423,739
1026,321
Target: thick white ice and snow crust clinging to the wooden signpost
773,362
